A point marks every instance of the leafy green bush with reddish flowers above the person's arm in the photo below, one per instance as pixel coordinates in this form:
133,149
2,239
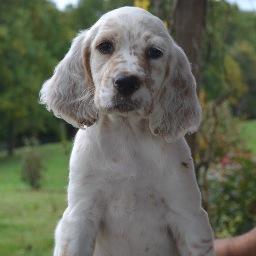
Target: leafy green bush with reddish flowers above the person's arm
232,194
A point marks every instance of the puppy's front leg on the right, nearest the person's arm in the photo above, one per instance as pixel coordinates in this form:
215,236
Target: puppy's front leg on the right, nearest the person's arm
188,222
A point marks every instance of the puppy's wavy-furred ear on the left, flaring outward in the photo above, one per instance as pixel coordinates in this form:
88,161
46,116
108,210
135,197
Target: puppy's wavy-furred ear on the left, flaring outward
69,93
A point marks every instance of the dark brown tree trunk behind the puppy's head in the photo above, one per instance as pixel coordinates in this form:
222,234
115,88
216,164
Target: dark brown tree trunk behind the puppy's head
188,27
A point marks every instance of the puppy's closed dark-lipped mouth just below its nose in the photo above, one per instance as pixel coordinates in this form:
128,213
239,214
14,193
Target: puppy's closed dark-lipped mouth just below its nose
123,105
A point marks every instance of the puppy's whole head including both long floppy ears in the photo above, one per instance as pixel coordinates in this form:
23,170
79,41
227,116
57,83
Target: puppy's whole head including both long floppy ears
126,63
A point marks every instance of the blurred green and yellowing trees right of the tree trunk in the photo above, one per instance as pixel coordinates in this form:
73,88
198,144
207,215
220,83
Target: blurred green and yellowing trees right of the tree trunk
225,67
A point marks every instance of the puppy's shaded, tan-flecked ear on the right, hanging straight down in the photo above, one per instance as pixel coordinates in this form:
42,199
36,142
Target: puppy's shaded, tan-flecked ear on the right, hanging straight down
177,110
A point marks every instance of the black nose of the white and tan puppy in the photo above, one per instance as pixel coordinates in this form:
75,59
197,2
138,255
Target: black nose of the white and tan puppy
127,85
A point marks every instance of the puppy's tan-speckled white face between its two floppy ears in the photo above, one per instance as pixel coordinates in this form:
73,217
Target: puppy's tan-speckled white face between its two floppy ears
128,60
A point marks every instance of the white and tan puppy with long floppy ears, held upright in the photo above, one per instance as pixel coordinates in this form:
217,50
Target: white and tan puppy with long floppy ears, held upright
132,188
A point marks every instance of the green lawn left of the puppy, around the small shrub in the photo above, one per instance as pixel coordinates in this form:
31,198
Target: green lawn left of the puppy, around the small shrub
27,217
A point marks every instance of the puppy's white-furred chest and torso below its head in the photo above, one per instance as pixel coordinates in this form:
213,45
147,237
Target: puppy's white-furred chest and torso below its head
134,192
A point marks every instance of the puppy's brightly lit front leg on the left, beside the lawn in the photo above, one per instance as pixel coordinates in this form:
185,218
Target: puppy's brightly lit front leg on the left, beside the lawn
76,232
